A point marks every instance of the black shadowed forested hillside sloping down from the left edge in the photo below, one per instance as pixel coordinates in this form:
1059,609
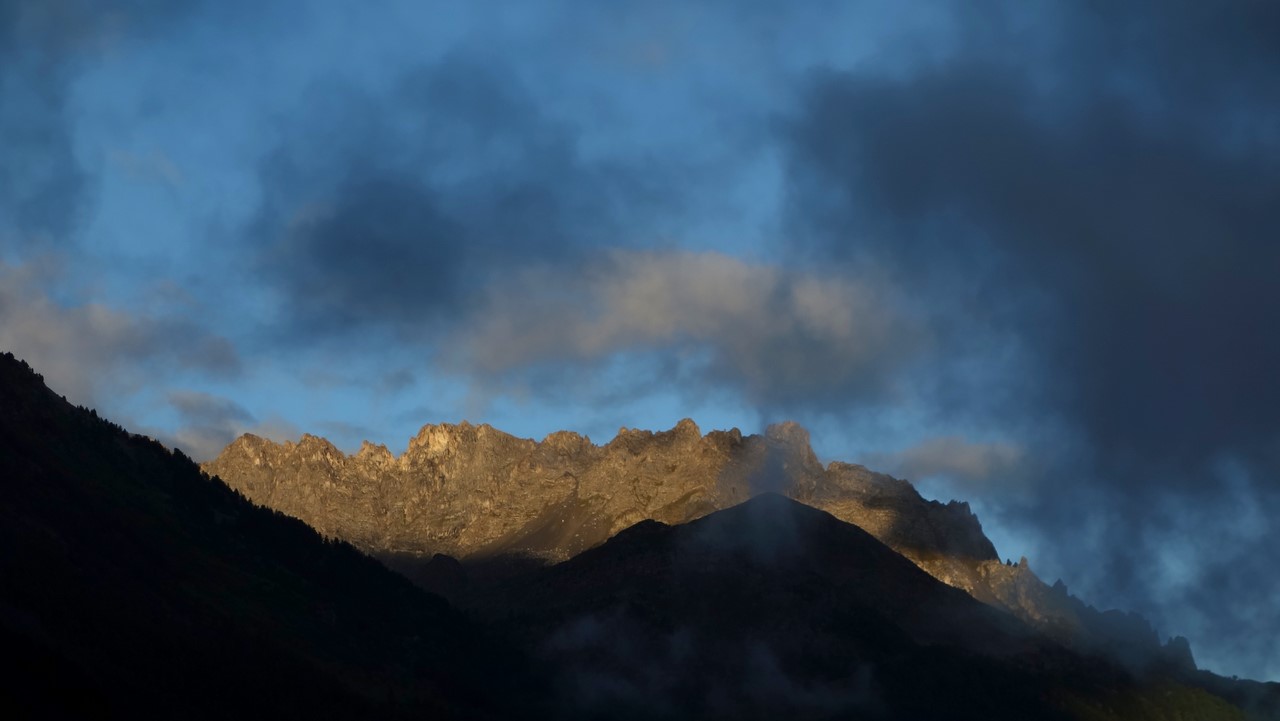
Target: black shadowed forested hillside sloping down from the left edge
135,586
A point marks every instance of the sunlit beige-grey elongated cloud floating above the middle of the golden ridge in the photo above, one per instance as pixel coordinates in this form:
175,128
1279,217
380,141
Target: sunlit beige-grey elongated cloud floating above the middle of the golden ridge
778,337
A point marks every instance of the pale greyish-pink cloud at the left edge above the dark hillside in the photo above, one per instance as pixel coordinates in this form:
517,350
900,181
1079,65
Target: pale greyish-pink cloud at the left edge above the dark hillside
89,350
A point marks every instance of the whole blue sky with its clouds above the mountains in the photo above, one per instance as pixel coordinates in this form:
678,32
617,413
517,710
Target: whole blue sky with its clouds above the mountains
1022,255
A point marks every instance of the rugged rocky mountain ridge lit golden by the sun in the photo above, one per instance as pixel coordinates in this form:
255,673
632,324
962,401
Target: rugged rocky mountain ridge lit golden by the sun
474,492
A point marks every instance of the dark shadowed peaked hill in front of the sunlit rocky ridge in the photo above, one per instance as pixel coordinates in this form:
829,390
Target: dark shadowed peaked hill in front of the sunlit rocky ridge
776,610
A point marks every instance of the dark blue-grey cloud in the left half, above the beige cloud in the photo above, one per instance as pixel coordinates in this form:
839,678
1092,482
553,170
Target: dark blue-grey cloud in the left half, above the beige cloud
391,208
